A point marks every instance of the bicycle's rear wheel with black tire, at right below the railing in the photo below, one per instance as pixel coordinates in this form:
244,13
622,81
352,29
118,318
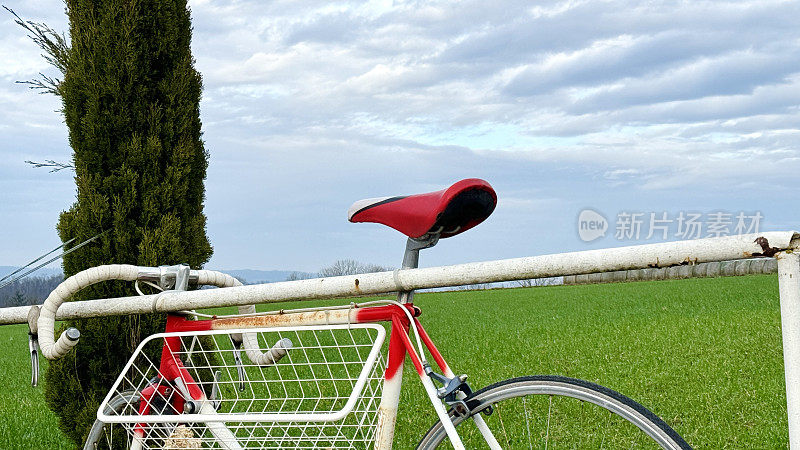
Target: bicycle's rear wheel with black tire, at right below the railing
553,412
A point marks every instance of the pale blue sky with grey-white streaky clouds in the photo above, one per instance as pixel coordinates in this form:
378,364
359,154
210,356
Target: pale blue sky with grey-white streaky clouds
635,110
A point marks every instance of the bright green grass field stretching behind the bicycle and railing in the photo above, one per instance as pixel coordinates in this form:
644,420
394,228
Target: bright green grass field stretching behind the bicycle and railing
704,354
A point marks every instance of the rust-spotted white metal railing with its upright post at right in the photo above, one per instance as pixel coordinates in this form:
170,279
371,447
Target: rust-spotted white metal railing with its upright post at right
783,246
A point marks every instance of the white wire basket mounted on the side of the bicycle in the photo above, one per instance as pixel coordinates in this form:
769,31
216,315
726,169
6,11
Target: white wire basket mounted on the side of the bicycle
324,393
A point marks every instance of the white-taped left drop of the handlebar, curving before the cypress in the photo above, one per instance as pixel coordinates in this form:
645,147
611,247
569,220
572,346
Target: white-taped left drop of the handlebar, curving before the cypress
52,349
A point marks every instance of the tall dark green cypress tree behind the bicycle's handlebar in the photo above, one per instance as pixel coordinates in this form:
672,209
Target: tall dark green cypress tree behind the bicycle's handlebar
130,97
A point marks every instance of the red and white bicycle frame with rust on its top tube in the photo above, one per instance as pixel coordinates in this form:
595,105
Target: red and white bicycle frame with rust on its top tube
400,345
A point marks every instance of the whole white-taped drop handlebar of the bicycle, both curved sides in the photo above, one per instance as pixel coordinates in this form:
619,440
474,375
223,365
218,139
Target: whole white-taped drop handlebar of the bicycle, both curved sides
52,349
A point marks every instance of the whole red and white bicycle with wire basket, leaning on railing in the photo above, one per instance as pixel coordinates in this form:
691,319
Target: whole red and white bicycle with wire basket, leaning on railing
318,377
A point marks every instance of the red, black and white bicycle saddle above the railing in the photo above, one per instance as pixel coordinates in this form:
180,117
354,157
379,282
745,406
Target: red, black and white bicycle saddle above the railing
452,210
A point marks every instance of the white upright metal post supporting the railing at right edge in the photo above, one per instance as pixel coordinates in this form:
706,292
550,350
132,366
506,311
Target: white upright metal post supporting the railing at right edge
789,287
